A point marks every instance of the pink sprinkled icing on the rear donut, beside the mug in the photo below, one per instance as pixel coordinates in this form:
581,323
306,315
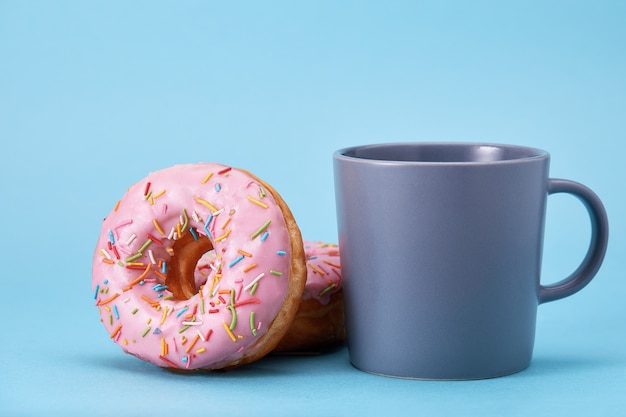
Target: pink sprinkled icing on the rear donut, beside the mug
323,271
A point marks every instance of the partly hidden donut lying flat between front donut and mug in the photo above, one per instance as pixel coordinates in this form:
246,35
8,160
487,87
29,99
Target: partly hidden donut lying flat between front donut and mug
319,324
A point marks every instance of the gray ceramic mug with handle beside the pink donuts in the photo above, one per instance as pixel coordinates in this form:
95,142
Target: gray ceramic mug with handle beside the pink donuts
441,247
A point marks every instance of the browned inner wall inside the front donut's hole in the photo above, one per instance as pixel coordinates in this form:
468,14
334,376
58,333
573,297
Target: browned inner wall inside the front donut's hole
181,275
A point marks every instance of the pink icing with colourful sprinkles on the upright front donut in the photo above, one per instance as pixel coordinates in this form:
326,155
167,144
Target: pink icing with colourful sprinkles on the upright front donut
243,287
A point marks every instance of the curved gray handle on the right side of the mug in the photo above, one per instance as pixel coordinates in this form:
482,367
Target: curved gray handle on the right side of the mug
597,247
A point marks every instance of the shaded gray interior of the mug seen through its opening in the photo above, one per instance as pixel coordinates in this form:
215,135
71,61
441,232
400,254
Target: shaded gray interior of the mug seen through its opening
442,152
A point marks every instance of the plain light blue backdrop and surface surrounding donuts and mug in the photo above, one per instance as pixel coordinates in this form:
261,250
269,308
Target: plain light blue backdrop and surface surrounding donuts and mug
94,95
